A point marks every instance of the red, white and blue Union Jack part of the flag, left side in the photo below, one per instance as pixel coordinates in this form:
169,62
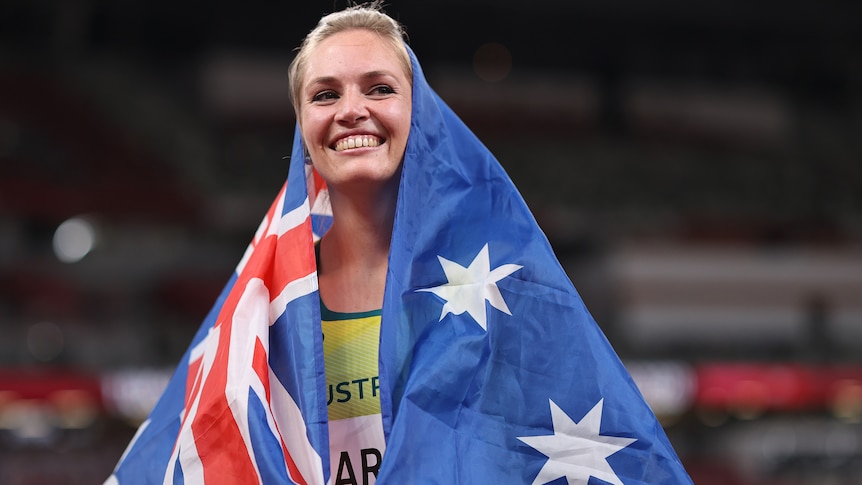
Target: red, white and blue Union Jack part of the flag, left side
240,416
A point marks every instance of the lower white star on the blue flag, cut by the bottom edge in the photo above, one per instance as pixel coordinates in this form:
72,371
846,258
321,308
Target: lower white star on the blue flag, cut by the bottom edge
576,450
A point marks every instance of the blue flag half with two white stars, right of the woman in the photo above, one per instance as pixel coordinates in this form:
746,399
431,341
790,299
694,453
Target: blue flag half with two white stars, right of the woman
492,369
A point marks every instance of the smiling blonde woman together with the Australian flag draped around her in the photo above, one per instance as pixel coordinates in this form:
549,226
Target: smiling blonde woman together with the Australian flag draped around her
451,335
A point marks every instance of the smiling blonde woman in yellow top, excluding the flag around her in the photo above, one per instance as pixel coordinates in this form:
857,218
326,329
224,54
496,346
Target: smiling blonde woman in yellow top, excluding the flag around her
352,89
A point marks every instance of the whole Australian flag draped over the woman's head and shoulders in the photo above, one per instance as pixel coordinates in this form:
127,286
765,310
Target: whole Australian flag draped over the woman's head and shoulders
491,368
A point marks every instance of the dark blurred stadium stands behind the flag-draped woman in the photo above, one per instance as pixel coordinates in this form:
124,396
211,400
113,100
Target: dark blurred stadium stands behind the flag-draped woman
695,164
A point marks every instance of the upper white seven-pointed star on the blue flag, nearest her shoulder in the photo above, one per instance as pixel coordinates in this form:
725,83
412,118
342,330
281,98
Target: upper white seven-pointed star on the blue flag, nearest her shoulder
469,287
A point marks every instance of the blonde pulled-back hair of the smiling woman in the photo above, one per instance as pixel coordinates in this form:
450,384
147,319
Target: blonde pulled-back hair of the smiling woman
363,17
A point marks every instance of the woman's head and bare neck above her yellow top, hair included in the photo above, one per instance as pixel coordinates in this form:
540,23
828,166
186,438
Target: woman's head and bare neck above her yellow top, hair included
351,89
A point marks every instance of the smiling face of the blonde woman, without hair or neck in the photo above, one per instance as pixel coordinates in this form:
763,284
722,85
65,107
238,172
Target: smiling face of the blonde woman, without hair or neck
354,109
